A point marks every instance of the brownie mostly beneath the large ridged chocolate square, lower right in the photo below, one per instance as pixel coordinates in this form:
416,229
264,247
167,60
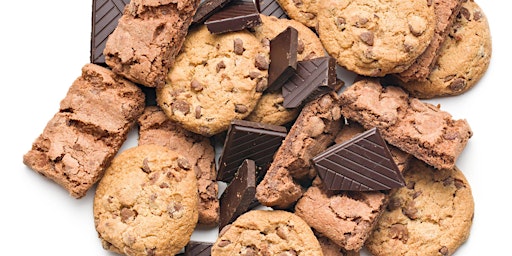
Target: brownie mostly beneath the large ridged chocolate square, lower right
347,218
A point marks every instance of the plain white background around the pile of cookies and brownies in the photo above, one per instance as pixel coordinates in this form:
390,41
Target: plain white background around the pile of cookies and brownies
44,45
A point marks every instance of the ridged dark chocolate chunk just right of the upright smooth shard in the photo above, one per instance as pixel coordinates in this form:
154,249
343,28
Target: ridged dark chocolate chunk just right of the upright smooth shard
312,79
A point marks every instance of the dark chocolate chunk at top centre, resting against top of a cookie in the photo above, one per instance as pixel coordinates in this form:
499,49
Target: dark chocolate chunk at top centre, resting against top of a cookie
237,15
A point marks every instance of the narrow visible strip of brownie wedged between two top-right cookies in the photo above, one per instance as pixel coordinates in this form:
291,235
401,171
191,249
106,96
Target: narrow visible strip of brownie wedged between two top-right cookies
446,12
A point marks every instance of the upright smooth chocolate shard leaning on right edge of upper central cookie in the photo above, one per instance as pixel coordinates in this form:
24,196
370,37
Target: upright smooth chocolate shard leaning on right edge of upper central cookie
283,58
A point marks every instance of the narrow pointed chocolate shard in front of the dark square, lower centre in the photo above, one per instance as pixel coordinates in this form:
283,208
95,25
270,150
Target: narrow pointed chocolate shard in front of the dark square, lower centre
239,194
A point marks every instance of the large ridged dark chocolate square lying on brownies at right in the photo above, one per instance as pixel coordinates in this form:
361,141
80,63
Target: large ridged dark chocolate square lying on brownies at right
362,163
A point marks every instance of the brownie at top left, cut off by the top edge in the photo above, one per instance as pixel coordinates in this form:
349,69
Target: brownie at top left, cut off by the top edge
147,39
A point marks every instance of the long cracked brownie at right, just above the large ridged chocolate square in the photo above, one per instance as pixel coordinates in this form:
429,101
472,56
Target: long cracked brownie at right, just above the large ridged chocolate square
418,128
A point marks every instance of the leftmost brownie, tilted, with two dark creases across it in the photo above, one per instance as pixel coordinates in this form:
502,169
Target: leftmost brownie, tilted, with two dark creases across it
93,121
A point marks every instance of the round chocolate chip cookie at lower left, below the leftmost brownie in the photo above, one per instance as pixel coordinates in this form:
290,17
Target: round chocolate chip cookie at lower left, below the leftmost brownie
146,204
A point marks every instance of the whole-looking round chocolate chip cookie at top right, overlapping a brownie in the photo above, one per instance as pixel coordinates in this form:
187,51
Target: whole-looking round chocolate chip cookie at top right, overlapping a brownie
375,38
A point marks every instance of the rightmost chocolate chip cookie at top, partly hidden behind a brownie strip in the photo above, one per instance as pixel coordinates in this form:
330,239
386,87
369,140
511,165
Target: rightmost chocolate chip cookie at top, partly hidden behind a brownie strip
456,73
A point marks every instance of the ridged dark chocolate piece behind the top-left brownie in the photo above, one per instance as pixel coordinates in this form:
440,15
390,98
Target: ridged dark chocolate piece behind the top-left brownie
105,16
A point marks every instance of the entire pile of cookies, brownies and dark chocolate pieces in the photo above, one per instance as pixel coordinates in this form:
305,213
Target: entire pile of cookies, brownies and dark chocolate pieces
247,93
